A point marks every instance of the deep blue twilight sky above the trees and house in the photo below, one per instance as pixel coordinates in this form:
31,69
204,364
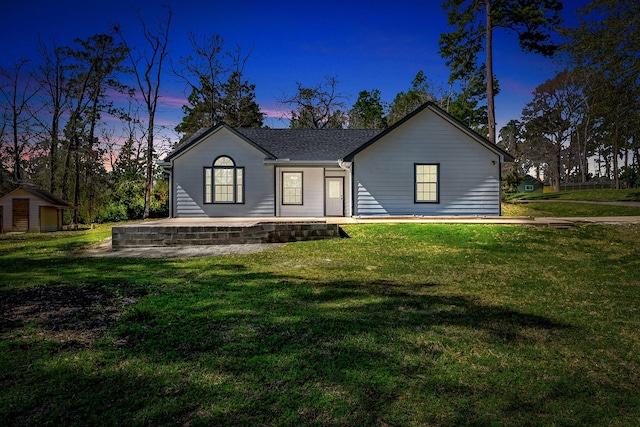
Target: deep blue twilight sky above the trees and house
365,44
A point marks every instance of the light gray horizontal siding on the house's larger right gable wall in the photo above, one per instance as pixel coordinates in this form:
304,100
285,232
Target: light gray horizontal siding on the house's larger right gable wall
384,172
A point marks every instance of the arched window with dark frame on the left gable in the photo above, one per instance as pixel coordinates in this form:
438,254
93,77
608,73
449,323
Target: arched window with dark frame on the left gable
224,182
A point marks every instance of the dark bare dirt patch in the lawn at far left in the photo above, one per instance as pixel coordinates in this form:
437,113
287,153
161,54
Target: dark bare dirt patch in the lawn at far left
73,317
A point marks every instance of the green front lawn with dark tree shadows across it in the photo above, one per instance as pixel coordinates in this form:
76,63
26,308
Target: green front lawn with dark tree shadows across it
406,324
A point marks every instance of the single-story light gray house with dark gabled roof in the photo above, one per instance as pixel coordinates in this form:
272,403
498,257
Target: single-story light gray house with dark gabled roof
426,164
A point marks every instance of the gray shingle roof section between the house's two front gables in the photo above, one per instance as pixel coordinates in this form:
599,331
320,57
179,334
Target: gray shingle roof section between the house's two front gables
309,144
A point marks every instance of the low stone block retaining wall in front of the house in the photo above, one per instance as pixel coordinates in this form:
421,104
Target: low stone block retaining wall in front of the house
149,235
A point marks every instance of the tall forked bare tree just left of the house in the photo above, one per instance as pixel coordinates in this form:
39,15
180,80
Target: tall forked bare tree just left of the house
147,68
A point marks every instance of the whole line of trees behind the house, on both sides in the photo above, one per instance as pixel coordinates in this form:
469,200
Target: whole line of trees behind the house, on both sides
80,120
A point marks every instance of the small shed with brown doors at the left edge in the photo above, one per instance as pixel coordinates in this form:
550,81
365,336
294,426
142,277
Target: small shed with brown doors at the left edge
31,209
